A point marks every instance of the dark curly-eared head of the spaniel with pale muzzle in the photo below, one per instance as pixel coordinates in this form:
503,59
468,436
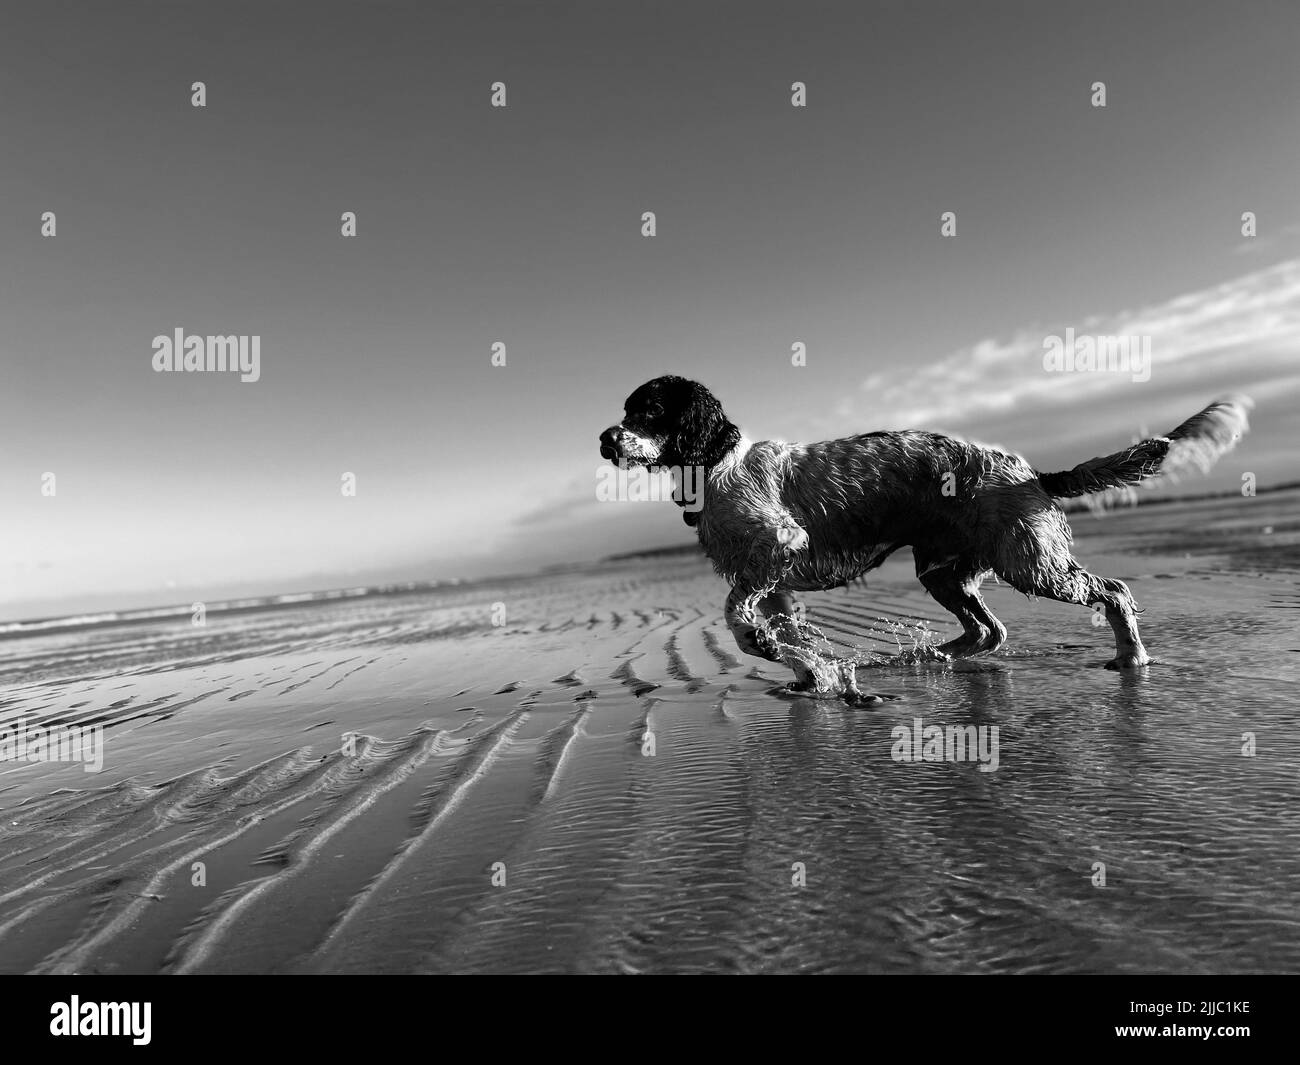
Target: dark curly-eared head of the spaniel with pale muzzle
670,422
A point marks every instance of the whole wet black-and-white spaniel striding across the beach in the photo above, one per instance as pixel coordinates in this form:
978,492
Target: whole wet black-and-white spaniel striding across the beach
785,518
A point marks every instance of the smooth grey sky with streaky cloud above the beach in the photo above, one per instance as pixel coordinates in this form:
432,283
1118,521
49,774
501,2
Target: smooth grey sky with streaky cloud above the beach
523,226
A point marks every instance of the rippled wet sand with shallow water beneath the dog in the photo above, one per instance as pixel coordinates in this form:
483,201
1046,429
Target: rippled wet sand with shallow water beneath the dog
504,808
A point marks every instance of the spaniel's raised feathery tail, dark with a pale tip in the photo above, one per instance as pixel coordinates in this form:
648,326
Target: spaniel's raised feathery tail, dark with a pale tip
1194,445
